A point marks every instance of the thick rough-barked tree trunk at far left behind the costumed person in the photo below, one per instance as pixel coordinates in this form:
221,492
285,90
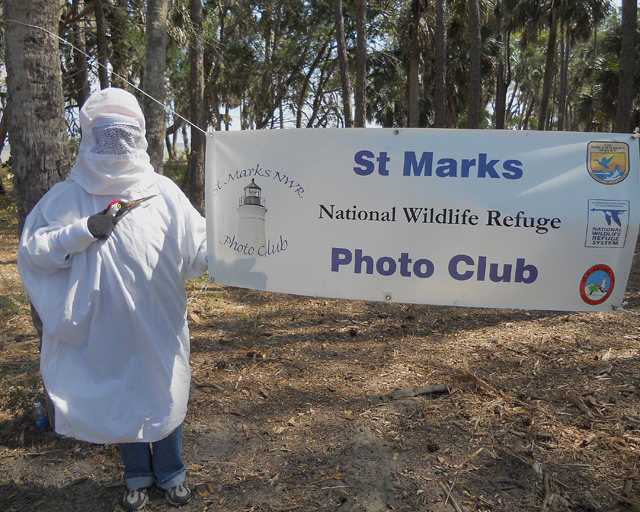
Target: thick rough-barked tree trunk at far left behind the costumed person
35,104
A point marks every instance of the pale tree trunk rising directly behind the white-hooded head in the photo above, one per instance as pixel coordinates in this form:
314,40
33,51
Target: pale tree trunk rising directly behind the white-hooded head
153,83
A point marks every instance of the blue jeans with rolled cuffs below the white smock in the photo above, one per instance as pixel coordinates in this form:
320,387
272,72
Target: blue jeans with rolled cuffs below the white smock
159,462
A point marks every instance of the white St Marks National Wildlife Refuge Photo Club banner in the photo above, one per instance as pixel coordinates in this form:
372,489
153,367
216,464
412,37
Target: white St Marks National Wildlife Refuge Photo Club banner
481,218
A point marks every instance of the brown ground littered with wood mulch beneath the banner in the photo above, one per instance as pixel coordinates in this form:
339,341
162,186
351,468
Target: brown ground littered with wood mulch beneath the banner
308,404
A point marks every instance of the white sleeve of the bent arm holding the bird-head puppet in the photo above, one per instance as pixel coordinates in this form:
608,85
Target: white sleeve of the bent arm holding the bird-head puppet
51,247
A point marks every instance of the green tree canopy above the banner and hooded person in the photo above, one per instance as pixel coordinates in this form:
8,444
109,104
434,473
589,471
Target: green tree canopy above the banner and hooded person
515,64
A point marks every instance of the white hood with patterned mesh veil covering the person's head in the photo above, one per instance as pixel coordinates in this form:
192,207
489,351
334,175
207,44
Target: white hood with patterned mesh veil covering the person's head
112,158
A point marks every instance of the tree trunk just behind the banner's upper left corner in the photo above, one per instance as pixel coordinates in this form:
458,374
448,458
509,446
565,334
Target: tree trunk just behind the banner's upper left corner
198,140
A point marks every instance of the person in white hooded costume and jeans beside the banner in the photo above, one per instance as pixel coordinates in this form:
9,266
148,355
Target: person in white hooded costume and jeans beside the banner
115,343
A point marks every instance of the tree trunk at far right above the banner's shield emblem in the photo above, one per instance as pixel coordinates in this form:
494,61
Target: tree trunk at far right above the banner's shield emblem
626,79
